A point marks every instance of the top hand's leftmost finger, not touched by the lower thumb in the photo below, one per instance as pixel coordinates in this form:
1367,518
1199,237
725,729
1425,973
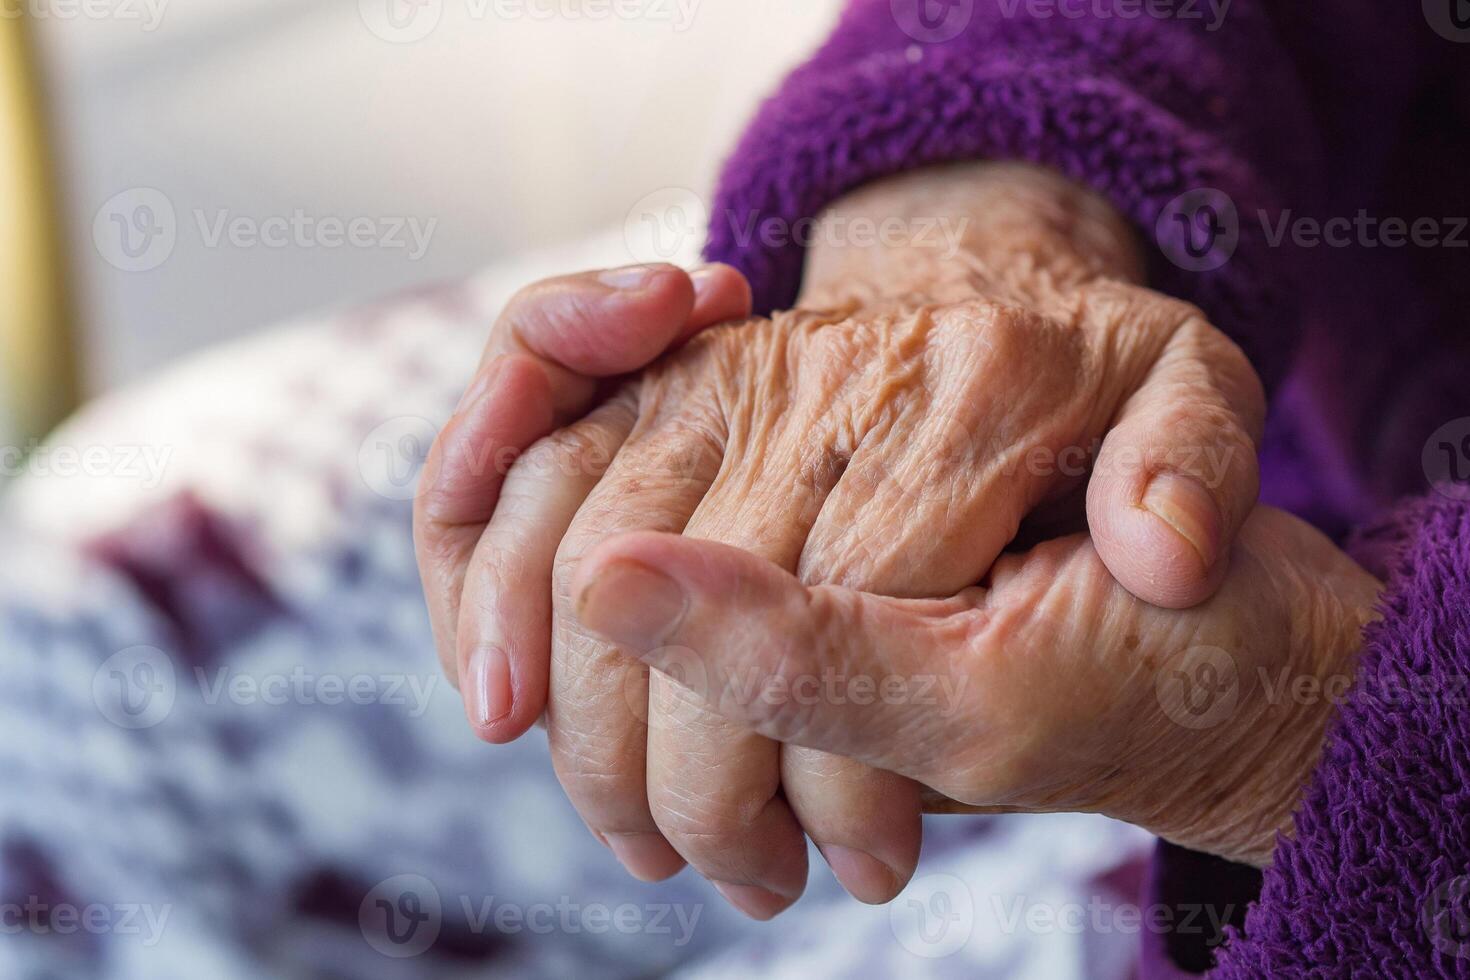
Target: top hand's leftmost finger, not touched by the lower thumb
505,628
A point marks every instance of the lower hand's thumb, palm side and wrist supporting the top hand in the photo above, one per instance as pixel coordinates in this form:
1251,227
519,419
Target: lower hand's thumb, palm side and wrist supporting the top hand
1049,688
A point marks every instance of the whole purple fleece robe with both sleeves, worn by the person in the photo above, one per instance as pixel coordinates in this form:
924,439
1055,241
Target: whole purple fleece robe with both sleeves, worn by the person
1288,111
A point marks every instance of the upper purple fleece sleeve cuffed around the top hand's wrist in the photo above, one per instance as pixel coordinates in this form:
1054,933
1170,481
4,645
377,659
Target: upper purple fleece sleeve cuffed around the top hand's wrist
1143,109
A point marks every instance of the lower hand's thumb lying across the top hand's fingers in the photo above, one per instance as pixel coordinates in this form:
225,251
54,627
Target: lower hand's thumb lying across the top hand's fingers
845,672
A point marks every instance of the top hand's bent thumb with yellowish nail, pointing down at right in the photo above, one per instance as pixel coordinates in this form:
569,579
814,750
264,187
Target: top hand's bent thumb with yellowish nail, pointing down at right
1178,474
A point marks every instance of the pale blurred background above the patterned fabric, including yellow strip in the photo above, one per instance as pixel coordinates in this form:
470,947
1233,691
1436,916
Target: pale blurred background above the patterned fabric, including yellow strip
180,174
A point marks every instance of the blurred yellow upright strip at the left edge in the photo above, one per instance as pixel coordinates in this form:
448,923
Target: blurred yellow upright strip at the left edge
37,361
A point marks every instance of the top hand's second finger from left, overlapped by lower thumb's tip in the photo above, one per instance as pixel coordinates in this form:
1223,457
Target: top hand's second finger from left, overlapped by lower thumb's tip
599,705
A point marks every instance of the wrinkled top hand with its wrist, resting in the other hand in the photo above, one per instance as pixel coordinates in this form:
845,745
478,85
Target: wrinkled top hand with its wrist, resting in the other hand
892,436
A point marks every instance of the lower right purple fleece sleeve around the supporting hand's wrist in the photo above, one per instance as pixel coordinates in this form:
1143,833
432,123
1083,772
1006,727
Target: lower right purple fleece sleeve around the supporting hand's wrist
1377,878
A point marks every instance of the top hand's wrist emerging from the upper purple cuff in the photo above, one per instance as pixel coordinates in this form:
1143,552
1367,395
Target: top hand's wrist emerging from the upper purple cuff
958,231
